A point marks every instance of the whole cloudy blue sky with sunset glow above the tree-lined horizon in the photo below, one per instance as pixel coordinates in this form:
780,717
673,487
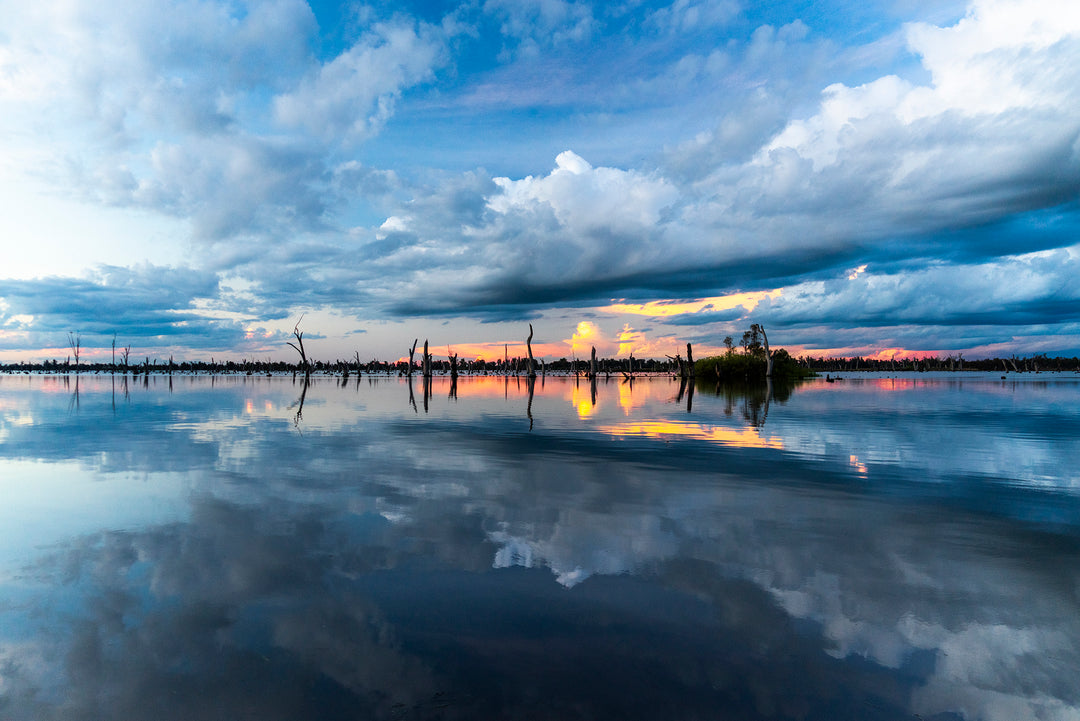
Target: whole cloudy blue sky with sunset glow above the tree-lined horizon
871,178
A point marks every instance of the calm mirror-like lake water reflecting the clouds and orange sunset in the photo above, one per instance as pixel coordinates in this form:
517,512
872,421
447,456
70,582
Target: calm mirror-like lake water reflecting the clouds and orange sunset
244,549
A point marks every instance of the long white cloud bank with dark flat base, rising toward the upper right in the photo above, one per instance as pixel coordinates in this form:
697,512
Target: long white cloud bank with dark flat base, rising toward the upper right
888,171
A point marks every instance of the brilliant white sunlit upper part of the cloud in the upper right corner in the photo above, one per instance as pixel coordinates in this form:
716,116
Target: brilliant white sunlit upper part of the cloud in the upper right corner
1003,58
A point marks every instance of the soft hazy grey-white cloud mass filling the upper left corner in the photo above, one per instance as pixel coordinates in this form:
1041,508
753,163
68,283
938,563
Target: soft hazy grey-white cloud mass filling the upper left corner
184,123
